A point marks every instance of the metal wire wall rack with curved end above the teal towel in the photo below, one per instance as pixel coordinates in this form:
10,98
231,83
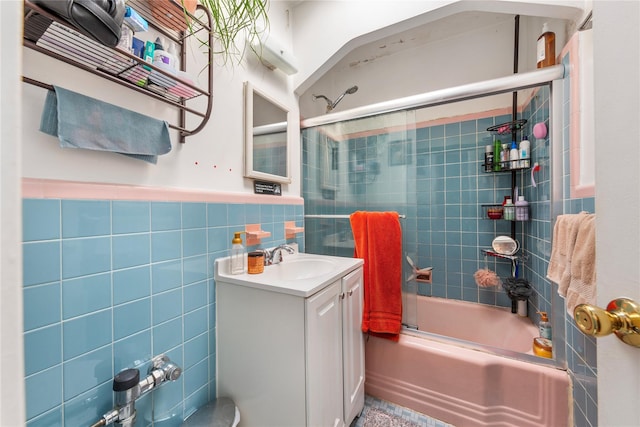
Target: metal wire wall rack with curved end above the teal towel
48,34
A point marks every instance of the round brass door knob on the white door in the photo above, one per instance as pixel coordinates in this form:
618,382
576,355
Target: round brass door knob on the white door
622,317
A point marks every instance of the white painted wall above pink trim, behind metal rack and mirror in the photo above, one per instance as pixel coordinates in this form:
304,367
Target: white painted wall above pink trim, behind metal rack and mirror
217,150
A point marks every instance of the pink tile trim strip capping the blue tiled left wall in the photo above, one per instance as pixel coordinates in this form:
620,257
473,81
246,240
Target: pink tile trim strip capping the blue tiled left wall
34,188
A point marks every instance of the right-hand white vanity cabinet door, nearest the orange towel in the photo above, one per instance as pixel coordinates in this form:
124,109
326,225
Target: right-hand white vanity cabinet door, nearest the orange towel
353,344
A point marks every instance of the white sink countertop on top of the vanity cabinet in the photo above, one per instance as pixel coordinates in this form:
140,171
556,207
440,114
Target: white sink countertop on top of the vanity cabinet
271,279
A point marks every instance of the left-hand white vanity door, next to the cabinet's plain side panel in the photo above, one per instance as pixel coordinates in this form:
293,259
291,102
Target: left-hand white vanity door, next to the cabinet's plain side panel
324,358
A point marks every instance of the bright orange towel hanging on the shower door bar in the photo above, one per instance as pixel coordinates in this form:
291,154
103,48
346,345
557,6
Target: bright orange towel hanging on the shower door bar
378,241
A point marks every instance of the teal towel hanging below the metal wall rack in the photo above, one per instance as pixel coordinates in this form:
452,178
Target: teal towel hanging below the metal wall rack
83,122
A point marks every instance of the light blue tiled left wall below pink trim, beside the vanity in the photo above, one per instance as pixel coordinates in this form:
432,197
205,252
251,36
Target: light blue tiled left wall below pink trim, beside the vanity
109,284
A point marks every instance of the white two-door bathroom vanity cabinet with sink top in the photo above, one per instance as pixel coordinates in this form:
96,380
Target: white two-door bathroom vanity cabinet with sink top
290,356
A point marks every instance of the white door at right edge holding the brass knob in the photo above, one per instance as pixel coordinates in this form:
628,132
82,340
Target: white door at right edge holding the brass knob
616,44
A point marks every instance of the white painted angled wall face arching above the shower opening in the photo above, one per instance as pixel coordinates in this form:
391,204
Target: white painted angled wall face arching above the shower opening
326,30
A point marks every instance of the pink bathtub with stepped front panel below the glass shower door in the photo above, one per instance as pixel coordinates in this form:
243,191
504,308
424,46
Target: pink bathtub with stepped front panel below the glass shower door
461,384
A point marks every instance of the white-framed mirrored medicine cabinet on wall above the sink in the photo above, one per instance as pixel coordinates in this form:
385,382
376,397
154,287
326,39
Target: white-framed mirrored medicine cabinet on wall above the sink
266,137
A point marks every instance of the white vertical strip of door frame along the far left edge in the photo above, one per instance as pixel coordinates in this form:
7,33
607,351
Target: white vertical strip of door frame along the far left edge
12,404
